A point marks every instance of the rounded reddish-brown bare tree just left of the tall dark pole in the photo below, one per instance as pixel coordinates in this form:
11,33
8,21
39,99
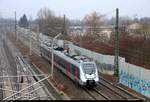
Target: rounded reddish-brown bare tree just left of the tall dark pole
94,23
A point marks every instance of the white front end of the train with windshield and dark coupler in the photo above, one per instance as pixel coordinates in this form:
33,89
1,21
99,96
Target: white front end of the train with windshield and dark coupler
89,74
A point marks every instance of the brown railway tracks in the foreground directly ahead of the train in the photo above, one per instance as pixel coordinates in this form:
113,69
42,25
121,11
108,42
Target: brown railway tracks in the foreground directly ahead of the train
107,91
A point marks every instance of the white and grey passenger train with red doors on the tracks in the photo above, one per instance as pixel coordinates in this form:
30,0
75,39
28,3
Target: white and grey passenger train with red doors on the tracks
79,68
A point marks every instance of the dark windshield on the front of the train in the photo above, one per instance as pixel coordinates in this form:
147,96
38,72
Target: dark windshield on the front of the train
89,68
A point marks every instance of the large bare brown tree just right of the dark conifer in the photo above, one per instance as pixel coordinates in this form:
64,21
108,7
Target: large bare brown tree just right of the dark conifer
49,23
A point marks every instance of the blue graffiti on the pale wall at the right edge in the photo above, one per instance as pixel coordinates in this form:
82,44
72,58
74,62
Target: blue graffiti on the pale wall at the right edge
140,85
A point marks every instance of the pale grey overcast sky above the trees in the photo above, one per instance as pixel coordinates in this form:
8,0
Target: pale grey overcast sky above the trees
75,9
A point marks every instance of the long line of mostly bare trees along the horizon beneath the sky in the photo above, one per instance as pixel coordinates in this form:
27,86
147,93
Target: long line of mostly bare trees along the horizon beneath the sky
50,24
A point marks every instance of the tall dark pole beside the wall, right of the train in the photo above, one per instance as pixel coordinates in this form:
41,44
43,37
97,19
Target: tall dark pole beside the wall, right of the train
116,60
